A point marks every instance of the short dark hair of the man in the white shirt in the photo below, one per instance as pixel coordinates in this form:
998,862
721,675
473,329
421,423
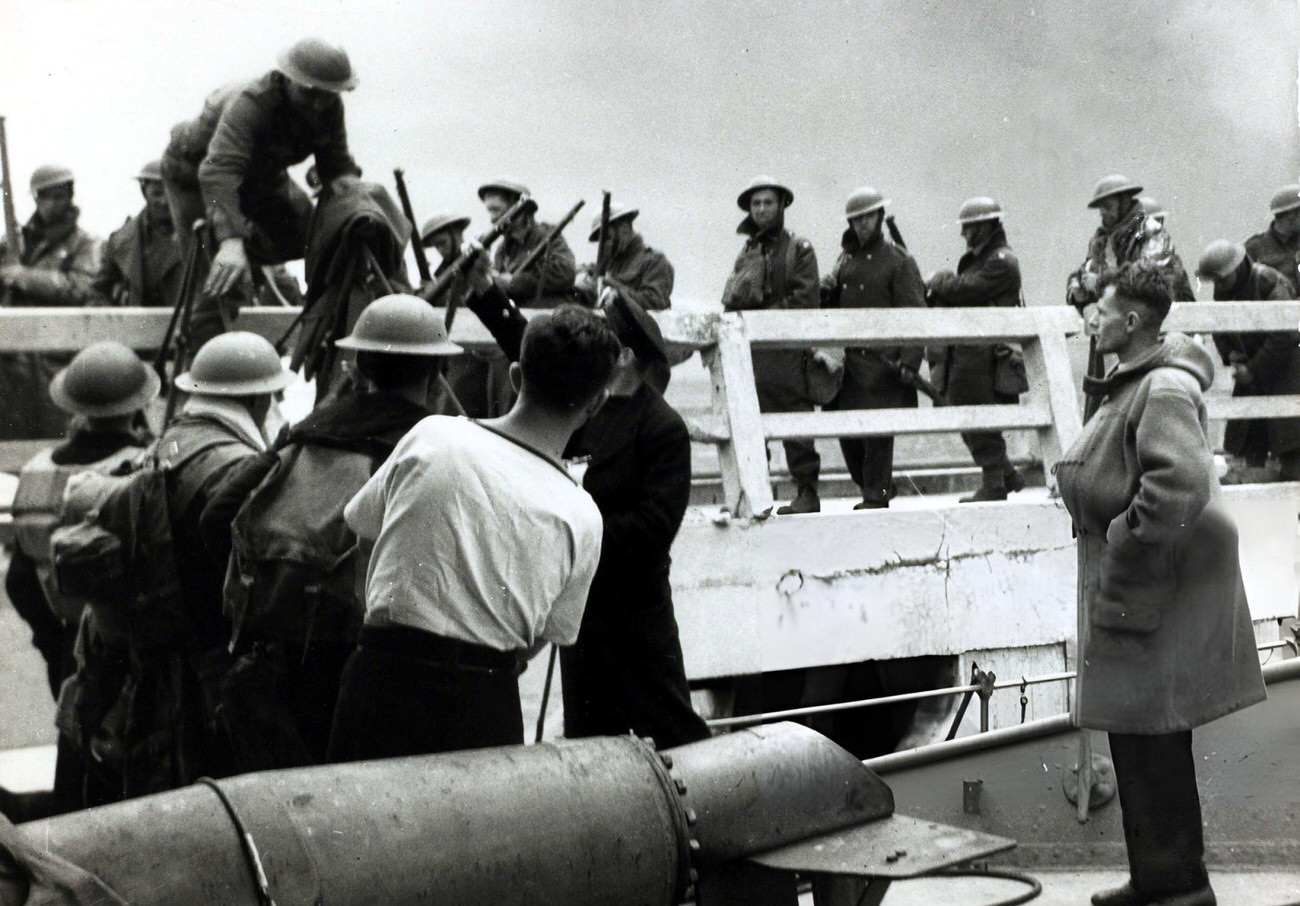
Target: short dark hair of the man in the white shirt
567,357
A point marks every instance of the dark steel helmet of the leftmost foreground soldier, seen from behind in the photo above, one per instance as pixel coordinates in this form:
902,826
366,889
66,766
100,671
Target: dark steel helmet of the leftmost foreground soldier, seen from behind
105,380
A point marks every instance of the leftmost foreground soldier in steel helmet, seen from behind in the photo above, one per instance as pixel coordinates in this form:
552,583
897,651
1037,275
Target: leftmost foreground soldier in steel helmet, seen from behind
106,387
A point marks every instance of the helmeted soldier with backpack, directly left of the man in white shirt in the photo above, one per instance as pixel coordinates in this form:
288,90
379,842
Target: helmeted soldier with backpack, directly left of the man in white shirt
293,583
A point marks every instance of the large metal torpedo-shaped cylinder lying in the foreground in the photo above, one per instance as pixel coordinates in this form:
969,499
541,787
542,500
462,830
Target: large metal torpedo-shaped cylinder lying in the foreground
603,821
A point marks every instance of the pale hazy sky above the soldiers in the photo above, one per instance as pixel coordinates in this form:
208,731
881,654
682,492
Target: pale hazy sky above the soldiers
675,106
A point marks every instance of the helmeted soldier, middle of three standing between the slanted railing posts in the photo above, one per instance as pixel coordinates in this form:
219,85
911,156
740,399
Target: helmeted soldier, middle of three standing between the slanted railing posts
873,272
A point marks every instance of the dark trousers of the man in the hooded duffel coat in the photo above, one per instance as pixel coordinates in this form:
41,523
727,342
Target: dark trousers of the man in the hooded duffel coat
1156,777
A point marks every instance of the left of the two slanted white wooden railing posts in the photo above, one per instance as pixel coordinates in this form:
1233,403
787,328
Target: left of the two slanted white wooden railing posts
742,458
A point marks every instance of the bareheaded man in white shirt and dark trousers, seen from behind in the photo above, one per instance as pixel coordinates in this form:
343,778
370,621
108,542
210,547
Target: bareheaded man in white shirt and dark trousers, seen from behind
483,549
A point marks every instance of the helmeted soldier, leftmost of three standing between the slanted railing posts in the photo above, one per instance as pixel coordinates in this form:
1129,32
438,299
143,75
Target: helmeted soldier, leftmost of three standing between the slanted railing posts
778,270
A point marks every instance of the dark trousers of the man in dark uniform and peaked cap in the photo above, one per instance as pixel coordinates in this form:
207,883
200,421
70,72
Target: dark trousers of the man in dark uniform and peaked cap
627,674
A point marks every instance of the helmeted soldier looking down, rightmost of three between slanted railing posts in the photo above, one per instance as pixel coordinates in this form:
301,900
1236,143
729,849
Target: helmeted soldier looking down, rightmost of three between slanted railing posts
989,275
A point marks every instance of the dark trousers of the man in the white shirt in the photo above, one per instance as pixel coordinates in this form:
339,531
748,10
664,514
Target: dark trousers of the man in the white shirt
408,692
